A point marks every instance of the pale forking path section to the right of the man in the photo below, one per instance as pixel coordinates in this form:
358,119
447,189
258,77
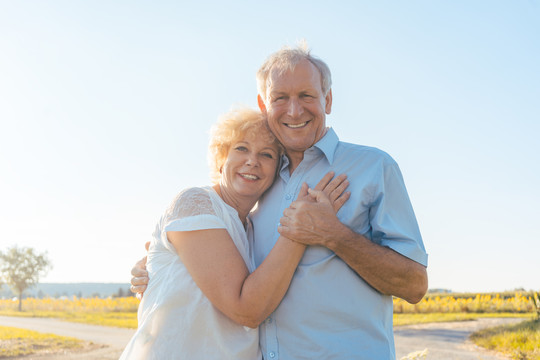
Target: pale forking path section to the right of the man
446,341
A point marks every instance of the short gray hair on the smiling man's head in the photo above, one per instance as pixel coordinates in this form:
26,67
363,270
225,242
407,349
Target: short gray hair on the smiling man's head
286,59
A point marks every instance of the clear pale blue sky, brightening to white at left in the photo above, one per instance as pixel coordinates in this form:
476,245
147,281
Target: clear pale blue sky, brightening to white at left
105,108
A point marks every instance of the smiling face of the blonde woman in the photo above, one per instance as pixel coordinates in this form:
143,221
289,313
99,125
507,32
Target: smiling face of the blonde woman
250,167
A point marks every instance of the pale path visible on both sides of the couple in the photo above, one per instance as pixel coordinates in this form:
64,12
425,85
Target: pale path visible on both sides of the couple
444,341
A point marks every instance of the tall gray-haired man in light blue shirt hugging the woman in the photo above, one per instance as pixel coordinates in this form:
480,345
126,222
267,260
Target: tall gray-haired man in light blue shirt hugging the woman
339,304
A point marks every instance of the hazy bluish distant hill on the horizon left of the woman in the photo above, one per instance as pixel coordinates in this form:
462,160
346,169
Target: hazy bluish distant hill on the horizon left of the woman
57,290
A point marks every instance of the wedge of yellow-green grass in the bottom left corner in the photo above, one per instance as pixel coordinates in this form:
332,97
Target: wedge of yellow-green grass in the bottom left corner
15,342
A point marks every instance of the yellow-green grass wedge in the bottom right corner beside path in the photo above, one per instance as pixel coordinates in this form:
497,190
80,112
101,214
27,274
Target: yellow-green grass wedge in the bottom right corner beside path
521,341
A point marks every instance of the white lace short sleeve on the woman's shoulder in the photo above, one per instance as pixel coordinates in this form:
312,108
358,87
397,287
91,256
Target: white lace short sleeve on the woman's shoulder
192,209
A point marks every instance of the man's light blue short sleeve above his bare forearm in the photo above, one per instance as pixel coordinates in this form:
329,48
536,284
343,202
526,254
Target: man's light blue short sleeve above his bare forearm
392,218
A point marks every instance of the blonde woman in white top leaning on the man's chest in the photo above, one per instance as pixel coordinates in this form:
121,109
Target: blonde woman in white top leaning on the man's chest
203,283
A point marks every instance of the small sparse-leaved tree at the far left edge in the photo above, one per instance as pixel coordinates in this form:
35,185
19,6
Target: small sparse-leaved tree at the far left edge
21,268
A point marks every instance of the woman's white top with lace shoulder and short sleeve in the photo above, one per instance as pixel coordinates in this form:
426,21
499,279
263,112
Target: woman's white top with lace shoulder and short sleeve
176,320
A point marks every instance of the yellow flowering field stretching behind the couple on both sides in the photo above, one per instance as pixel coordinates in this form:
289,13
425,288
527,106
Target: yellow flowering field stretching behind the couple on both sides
122,312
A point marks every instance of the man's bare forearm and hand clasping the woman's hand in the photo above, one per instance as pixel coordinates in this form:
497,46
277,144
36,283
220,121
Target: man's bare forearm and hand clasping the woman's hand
315,223
